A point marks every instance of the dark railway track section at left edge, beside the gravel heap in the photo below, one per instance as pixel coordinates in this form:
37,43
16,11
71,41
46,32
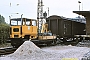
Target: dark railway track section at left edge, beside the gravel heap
7,50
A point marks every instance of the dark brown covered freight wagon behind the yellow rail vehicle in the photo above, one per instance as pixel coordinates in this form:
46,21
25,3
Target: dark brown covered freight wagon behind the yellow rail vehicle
65,28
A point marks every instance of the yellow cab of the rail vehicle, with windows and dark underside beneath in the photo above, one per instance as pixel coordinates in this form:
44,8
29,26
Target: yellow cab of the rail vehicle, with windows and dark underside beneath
22,29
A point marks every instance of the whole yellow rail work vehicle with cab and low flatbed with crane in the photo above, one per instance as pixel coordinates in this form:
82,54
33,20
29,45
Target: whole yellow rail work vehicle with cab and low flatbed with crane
22,29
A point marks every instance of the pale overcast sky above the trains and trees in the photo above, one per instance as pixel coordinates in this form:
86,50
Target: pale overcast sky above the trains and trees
29,8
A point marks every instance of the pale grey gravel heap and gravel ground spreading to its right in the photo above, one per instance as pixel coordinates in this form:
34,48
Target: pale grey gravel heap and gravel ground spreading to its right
29,51
